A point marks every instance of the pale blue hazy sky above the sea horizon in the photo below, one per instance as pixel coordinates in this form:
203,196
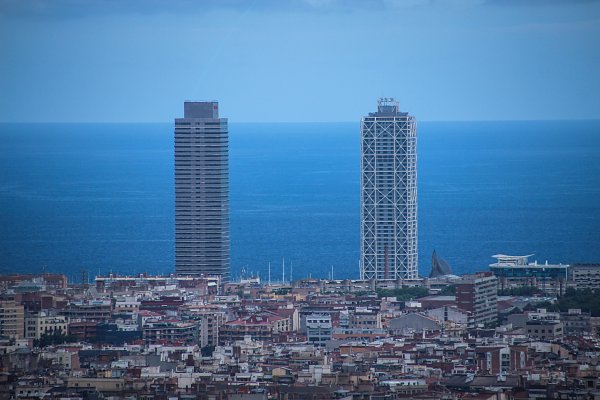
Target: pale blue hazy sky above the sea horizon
298,60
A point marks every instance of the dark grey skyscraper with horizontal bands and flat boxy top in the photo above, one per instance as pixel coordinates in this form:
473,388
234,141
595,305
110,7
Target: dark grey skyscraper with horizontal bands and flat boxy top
202,191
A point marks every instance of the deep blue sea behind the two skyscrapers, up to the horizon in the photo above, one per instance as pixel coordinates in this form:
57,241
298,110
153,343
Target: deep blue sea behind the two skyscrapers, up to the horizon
100,197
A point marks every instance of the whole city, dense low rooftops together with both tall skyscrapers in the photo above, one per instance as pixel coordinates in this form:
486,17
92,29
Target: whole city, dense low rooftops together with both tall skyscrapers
517,329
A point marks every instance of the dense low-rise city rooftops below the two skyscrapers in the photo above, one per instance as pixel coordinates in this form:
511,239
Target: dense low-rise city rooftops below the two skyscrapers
498,334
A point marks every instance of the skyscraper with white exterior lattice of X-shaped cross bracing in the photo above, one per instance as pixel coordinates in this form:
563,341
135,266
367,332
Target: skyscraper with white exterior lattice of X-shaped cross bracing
388,195
